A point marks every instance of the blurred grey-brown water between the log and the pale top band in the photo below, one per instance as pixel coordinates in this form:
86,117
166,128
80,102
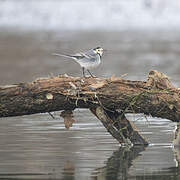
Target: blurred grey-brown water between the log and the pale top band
134,53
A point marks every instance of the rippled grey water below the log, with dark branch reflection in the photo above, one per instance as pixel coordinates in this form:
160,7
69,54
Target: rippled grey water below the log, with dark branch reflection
39,147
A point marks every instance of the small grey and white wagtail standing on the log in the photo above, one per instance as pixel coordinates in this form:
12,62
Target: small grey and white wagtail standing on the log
87,60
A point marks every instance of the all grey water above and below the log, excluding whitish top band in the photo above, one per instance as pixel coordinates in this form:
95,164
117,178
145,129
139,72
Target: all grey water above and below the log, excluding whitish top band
39,147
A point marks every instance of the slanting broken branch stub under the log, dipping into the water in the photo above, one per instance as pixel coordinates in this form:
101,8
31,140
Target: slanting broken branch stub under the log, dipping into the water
119,127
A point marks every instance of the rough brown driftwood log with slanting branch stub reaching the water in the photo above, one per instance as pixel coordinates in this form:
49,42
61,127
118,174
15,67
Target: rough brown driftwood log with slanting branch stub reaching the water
108,98
